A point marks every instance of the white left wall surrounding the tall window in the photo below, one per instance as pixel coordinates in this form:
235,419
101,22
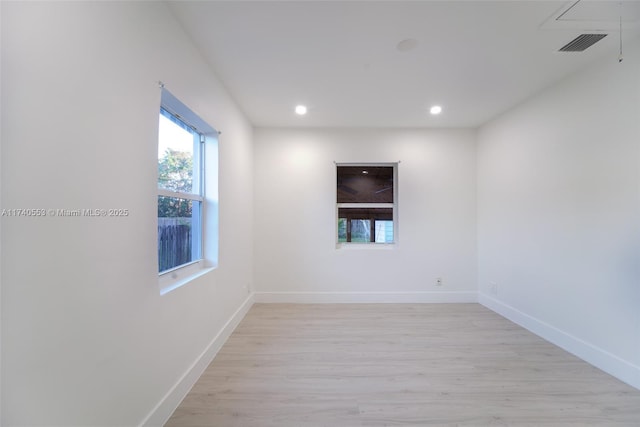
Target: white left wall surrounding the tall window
86,337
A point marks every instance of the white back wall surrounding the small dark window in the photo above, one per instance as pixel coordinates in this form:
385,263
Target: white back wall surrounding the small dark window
295,224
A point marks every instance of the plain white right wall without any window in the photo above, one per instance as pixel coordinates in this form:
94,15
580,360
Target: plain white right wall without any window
559,214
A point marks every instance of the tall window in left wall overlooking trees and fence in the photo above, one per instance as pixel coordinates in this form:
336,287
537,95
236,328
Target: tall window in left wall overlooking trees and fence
183,204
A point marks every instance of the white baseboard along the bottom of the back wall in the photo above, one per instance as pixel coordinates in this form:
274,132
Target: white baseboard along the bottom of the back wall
366,297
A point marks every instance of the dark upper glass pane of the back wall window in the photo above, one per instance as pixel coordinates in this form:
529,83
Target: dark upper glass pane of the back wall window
365,184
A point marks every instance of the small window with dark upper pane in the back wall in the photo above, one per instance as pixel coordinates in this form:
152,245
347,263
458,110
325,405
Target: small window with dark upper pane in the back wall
366,203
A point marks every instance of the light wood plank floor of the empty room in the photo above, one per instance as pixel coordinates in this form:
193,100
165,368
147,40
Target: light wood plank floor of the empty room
398,365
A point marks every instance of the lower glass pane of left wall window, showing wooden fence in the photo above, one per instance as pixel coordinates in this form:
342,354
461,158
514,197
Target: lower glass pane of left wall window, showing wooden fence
179,232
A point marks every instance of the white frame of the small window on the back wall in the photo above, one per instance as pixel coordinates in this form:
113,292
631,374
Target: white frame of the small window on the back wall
393,206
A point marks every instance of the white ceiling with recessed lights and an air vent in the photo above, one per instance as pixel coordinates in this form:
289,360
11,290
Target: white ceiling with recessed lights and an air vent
345,61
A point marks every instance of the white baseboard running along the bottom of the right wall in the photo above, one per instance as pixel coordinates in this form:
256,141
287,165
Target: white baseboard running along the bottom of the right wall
610,363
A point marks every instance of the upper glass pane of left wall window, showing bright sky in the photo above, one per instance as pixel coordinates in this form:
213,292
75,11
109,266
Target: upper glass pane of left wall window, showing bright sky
177,157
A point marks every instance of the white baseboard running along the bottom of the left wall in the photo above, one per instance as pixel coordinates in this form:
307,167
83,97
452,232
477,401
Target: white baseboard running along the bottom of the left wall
163,410
